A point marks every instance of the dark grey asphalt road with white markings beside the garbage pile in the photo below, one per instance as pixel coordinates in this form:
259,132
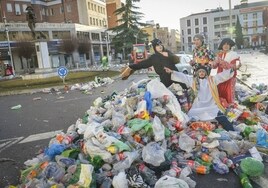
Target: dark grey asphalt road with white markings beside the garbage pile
55,112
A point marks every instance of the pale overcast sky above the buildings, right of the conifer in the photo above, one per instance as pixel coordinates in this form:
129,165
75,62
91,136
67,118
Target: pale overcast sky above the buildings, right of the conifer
168,12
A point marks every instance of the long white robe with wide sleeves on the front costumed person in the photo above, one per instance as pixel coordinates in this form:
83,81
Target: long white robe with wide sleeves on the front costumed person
204,107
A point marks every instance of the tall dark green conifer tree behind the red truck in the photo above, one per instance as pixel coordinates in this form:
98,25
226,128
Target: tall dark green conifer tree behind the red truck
129,28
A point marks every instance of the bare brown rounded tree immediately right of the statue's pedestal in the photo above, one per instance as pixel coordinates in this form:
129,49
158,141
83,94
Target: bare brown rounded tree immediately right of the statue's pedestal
69,45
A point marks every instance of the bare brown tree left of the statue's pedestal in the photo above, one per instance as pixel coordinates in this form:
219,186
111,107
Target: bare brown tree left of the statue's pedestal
25,49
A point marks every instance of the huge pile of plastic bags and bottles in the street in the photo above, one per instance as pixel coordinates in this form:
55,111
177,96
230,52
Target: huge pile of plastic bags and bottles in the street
141,137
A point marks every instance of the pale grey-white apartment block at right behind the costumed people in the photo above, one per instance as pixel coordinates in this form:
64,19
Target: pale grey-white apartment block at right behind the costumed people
216,24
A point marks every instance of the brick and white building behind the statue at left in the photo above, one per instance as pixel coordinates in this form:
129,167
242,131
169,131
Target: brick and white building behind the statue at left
58,19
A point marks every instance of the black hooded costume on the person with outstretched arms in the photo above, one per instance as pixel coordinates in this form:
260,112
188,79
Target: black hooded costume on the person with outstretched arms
158,61
